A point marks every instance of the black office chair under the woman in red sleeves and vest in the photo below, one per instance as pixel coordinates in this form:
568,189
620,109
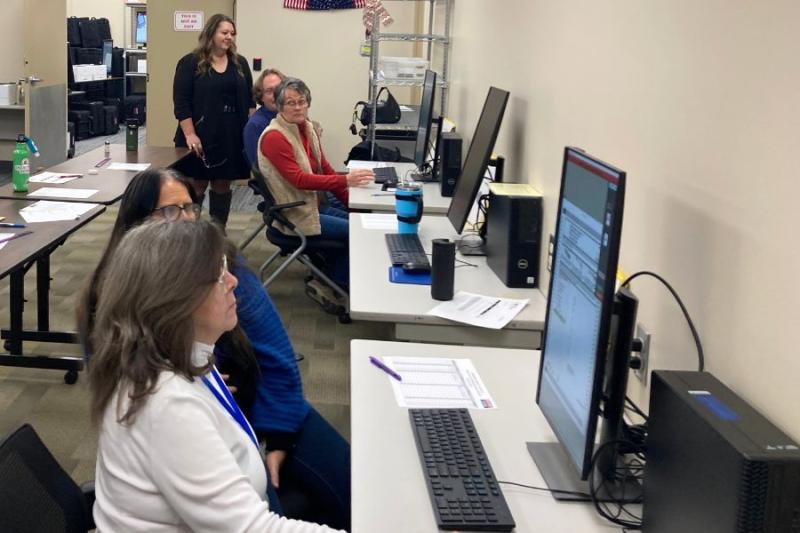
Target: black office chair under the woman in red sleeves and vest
310,252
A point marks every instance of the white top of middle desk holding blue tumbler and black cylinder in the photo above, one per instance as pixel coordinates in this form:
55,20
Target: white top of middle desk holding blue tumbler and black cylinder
373,297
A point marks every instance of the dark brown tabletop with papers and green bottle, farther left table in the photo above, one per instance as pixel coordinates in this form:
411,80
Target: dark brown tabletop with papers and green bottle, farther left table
110,184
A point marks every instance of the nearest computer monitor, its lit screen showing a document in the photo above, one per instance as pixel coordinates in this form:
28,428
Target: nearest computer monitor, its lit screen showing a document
575,361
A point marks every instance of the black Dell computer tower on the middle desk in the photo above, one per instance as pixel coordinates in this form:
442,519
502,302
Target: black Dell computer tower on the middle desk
514,233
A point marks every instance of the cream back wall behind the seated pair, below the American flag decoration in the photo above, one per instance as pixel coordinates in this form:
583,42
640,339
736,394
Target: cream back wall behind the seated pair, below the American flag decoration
321,47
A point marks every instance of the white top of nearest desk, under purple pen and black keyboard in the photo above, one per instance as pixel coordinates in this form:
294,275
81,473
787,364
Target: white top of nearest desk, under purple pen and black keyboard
388,488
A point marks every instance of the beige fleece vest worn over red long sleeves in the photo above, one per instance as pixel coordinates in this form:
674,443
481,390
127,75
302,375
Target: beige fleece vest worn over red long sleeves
305,217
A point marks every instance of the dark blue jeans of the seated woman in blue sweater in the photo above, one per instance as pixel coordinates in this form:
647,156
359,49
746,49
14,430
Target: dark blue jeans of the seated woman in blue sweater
315,477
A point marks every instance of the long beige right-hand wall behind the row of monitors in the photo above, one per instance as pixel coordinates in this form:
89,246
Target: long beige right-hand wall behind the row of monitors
698,101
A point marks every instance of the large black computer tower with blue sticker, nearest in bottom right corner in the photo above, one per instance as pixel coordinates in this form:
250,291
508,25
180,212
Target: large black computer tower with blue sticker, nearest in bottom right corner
714,464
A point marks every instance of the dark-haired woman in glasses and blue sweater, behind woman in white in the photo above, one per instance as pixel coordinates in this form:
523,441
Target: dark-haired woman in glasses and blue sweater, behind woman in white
307,459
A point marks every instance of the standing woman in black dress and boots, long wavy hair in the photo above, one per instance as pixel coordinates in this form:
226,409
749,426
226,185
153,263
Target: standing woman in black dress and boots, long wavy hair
212,95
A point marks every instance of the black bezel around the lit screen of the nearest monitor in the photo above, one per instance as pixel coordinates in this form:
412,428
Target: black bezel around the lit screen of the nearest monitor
607,307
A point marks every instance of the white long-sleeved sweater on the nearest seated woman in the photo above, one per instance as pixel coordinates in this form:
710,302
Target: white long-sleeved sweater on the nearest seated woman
183,465
